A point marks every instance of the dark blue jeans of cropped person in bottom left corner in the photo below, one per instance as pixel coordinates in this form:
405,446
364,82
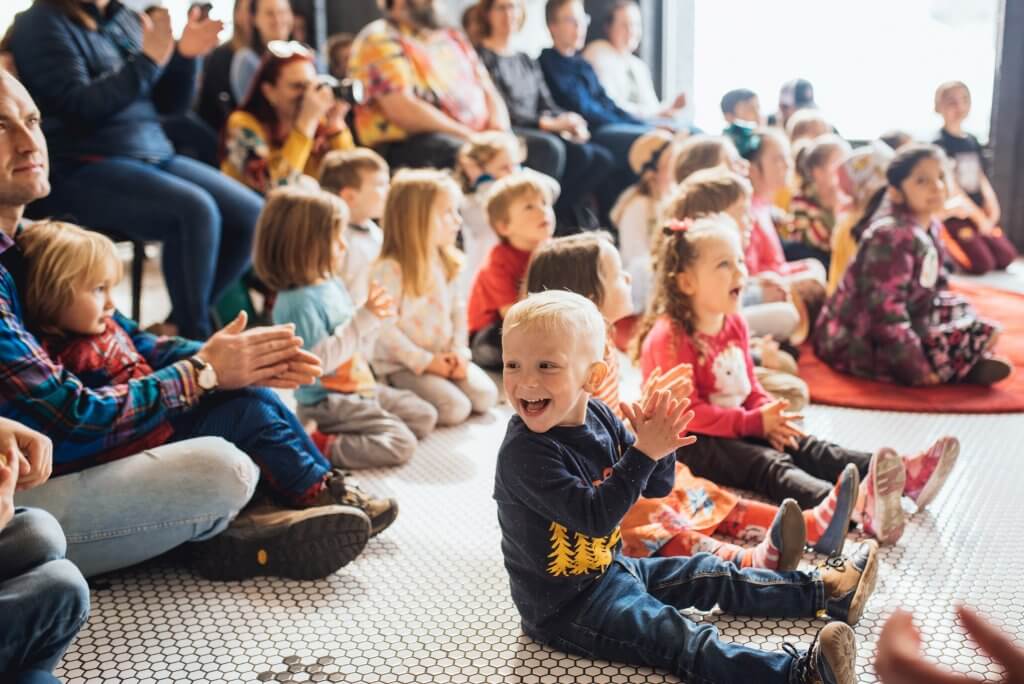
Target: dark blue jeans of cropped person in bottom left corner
44,597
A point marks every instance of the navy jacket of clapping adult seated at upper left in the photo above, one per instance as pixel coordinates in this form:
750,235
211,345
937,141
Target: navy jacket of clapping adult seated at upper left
99,95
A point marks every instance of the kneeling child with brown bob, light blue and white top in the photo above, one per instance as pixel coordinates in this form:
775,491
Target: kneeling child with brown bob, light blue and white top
298,252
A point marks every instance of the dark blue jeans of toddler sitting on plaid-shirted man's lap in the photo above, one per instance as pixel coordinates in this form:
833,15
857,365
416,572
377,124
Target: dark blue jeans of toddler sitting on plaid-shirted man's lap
258,422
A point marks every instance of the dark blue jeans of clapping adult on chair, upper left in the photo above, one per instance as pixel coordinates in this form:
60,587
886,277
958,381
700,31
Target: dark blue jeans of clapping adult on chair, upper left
204,220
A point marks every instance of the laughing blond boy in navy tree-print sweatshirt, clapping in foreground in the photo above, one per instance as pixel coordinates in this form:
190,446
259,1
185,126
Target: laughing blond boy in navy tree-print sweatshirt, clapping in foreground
568,473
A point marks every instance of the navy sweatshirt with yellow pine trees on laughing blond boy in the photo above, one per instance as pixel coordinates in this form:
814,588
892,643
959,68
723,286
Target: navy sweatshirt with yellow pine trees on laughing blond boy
561,498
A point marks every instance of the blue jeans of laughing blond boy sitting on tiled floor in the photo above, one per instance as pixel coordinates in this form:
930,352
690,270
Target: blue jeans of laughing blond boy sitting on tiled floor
632,616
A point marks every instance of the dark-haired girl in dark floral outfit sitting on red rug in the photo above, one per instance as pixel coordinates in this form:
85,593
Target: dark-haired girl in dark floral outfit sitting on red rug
892,318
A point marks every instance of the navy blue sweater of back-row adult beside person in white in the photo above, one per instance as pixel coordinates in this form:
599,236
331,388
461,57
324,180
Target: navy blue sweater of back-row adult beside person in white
575,87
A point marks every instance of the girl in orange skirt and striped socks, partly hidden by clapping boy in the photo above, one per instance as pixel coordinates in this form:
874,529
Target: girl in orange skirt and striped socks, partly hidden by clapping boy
679,525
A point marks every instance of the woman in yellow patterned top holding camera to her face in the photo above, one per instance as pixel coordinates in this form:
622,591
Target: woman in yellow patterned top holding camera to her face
290,120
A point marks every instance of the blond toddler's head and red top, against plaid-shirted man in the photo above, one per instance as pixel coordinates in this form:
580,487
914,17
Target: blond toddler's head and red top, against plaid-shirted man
70,278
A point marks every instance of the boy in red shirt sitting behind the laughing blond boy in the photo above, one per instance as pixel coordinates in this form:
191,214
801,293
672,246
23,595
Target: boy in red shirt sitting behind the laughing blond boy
520,211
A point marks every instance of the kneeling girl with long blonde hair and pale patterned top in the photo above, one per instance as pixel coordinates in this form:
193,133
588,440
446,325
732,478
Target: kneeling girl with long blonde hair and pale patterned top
426,351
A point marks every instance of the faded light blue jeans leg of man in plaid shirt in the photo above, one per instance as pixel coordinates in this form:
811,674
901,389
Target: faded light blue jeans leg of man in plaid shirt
120,514
